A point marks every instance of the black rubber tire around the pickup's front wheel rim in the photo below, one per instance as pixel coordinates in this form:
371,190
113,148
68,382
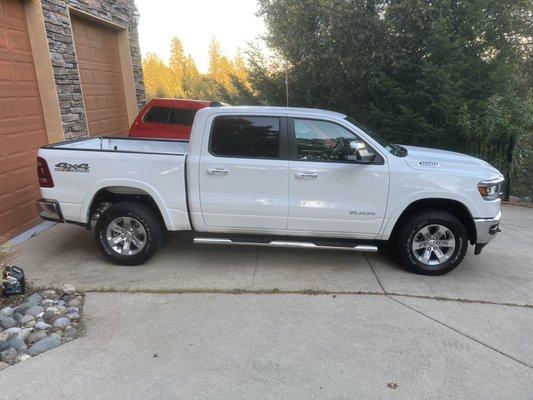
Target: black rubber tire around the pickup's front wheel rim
413,225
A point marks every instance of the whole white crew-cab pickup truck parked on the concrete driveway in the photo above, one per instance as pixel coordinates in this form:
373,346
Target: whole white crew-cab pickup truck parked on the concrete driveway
268,176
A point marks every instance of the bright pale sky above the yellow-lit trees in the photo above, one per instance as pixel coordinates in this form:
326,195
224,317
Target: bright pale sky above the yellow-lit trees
195,22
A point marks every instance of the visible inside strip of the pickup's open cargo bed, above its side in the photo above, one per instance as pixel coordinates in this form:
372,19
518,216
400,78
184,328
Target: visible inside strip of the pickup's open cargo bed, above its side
125,145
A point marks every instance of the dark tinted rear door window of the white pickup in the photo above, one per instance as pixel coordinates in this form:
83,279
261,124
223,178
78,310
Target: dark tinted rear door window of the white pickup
248,137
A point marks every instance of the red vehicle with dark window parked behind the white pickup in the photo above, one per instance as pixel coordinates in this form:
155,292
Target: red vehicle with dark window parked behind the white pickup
168,118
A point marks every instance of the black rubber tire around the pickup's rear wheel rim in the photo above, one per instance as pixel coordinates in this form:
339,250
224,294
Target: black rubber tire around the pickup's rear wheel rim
144,216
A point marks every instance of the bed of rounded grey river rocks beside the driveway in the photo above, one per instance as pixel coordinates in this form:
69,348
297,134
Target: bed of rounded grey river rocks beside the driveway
42,322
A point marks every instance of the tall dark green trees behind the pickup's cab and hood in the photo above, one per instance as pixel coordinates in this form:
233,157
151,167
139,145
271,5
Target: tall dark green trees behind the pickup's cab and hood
447,73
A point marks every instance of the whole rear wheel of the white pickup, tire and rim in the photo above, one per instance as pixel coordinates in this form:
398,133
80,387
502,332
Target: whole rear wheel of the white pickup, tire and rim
128,233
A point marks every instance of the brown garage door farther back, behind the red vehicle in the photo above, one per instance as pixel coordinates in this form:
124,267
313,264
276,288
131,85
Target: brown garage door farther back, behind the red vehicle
101,77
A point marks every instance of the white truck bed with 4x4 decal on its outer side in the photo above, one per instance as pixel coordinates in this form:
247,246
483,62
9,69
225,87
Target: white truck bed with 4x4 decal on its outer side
80,169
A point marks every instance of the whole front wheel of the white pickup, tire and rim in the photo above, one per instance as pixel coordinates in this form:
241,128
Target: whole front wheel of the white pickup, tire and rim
432,242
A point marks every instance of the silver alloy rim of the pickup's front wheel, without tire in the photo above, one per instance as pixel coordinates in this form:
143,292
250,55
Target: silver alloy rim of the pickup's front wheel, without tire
433,244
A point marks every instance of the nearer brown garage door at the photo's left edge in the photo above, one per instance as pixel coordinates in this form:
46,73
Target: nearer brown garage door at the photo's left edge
22,129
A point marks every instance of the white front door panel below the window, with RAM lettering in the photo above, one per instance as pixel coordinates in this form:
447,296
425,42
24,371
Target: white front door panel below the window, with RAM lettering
347,199
